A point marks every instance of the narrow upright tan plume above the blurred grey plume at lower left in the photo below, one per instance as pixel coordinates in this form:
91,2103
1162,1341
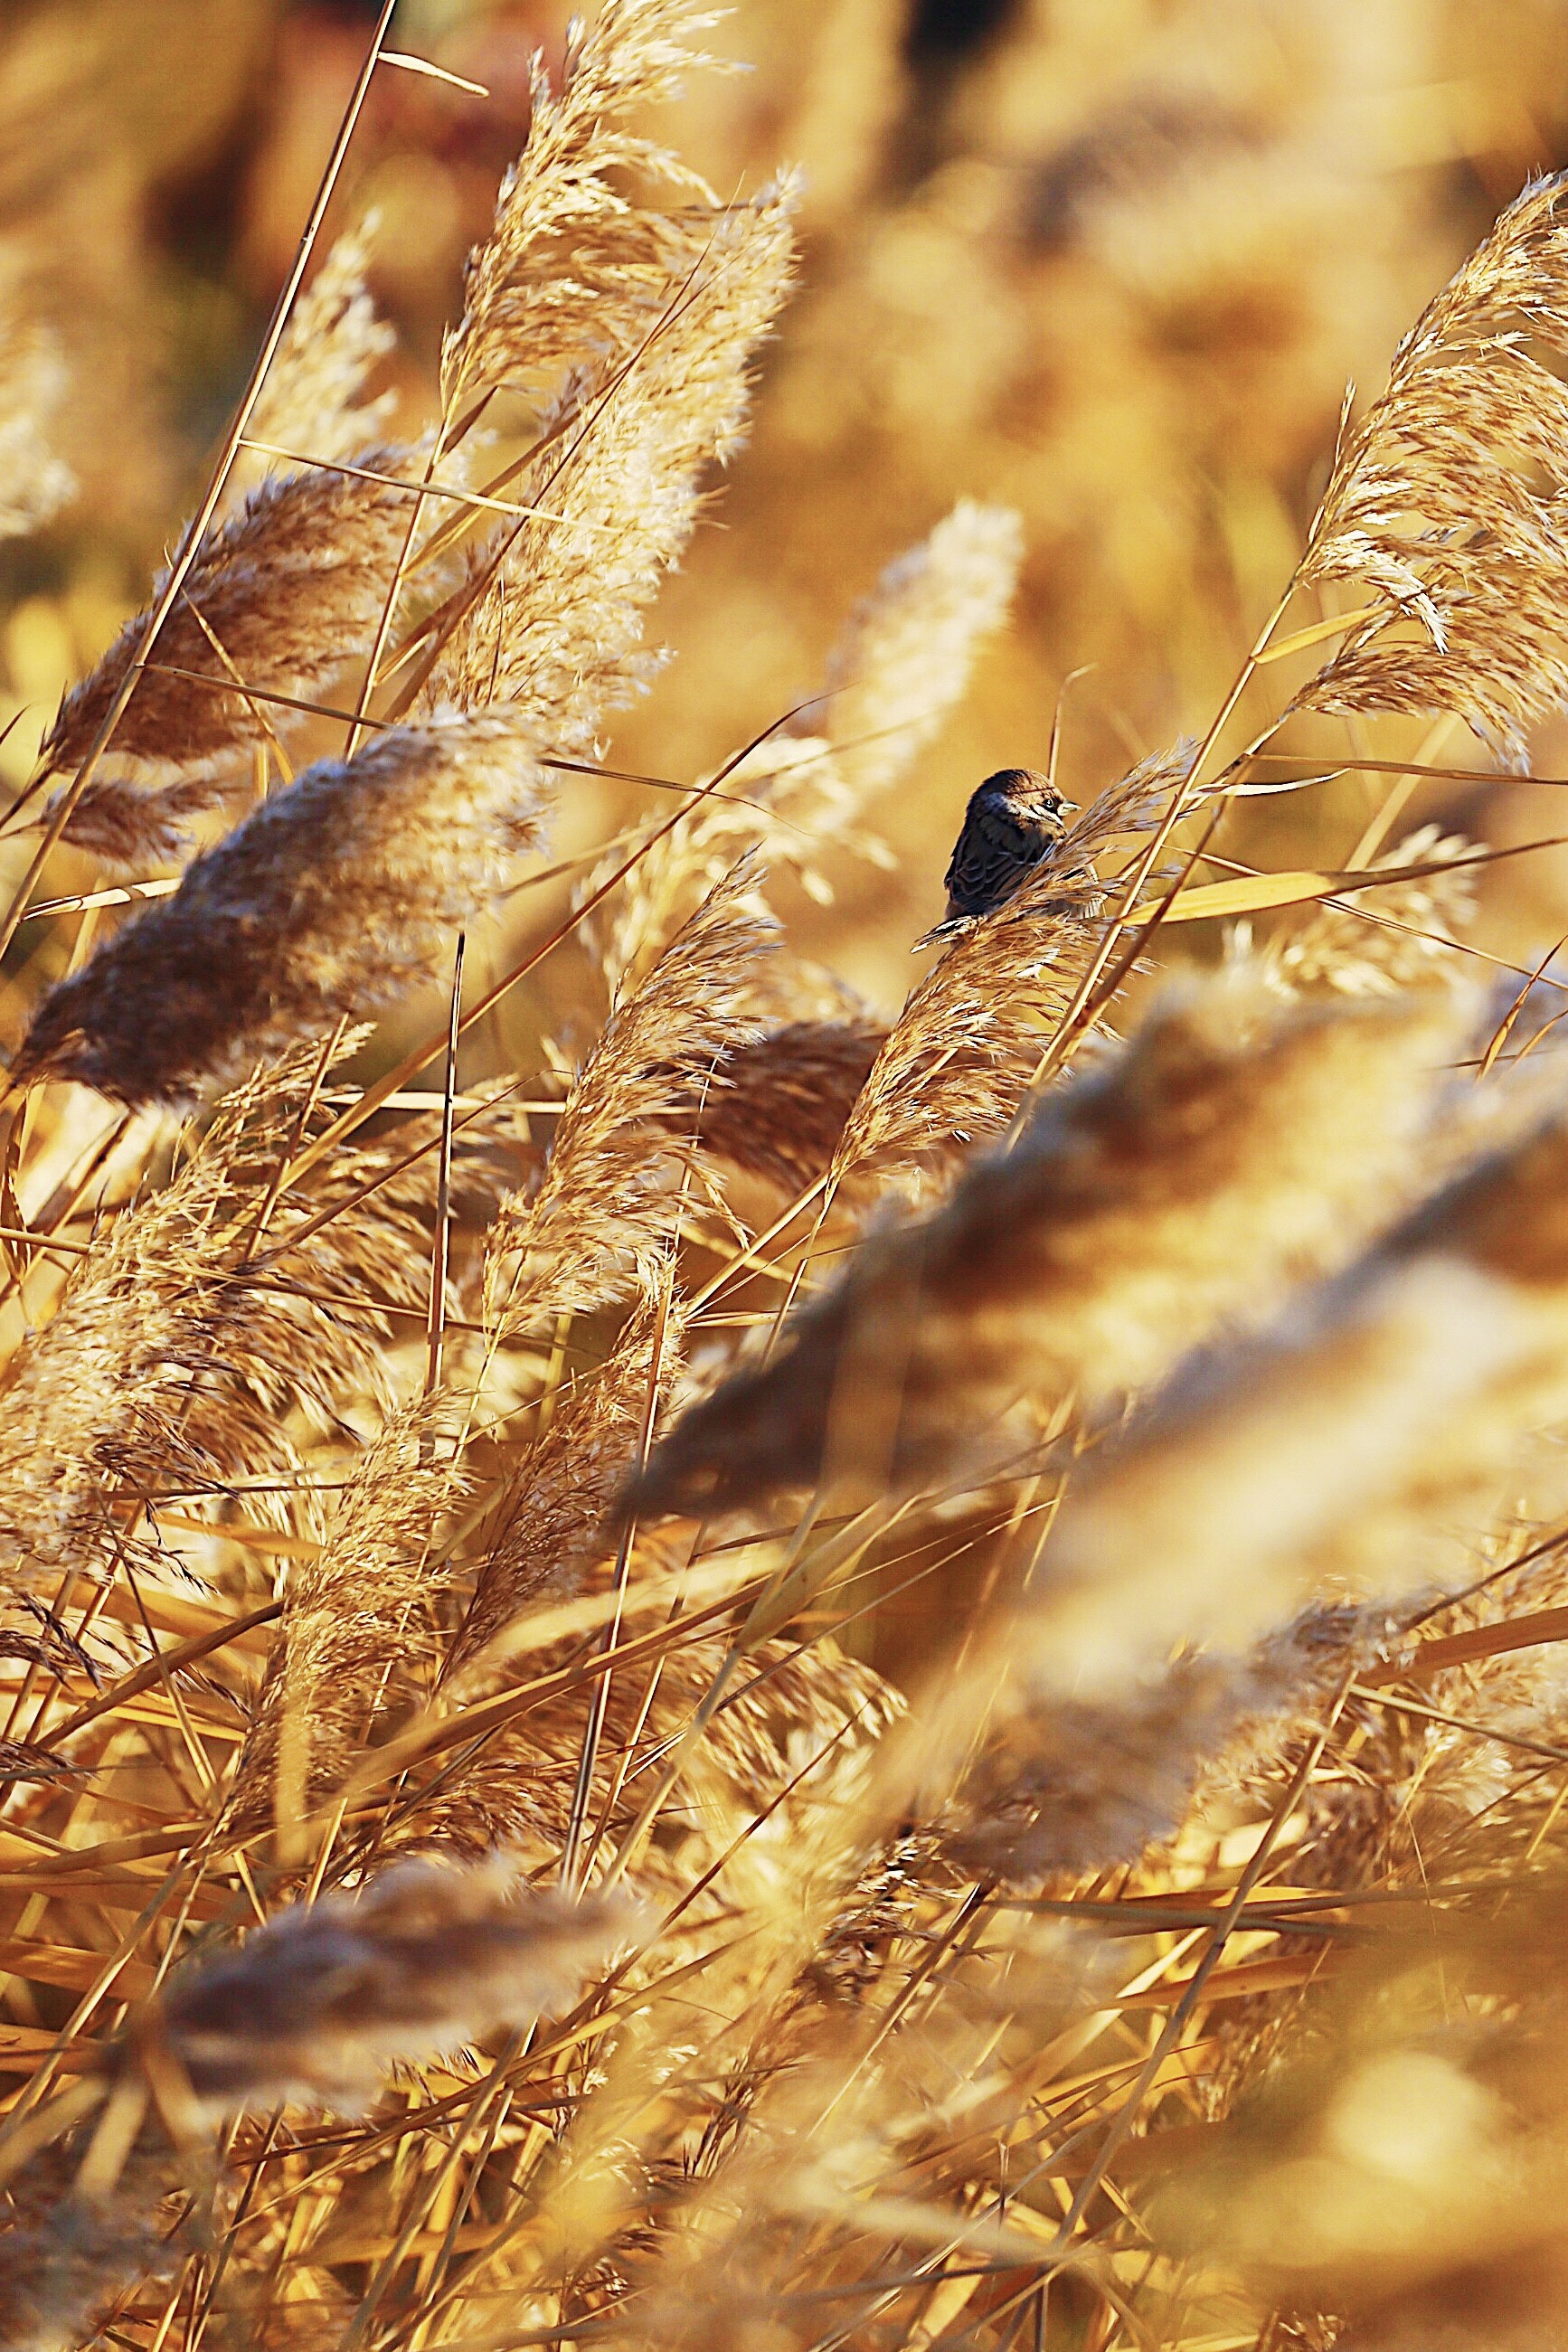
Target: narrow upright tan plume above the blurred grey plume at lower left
356,1631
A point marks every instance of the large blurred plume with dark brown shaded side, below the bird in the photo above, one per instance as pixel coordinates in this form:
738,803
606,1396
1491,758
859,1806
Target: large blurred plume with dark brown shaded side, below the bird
1188,1180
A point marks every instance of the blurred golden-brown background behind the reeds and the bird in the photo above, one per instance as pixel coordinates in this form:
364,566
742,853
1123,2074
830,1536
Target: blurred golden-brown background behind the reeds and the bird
1108,262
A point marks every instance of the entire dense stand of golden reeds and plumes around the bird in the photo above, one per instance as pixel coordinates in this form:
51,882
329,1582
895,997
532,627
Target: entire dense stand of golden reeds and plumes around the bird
765,1676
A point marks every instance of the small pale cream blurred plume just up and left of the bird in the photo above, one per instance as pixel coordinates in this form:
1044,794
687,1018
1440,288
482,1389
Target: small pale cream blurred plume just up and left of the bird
911,646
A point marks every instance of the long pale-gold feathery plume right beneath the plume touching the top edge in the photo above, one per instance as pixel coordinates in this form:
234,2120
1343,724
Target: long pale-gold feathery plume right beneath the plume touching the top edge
554,610
